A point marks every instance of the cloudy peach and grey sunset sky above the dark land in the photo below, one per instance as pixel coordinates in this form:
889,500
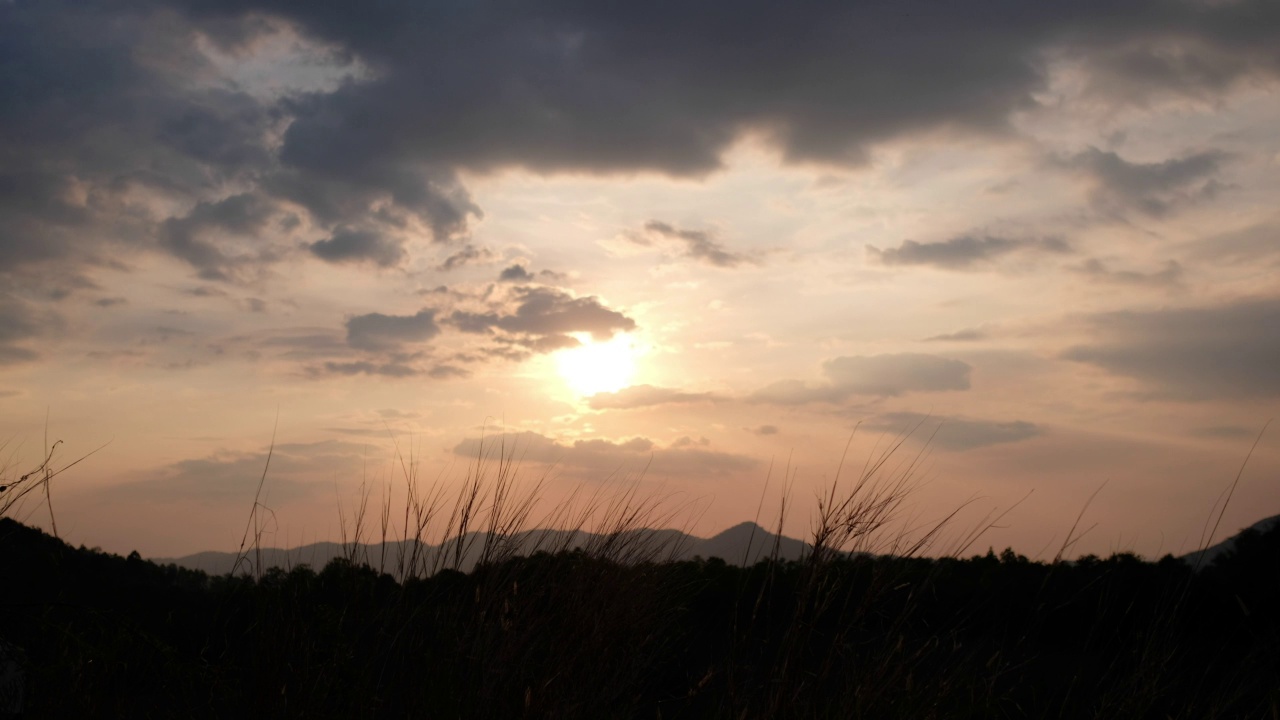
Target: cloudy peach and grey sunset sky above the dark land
696,249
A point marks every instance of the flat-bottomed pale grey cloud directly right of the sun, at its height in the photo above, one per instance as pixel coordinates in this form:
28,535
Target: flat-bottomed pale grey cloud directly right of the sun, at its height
880,376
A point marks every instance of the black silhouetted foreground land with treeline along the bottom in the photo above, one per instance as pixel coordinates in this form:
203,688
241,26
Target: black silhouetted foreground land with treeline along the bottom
578,636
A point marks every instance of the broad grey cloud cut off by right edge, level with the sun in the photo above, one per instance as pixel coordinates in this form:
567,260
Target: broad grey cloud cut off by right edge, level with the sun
1223,352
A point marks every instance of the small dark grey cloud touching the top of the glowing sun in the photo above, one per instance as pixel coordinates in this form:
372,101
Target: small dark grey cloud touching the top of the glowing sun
546,317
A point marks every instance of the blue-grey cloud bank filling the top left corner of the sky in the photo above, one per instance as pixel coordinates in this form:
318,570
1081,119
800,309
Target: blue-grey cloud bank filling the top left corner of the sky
98,101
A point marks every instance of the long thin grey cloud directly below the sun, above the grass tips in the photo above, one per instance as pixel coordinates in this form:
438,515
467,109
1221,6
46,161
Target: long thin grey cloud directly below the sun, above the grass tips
605,458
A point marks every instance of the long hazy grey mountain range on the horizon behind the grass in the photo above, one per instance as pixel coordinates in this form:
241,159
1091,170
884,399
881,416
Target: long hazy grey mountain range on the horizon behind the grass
740,545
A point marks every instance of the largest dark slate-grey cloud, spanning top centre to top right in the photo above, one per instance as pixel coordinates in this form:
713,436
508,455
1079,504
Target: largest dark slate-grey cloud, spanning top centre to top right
580,85
